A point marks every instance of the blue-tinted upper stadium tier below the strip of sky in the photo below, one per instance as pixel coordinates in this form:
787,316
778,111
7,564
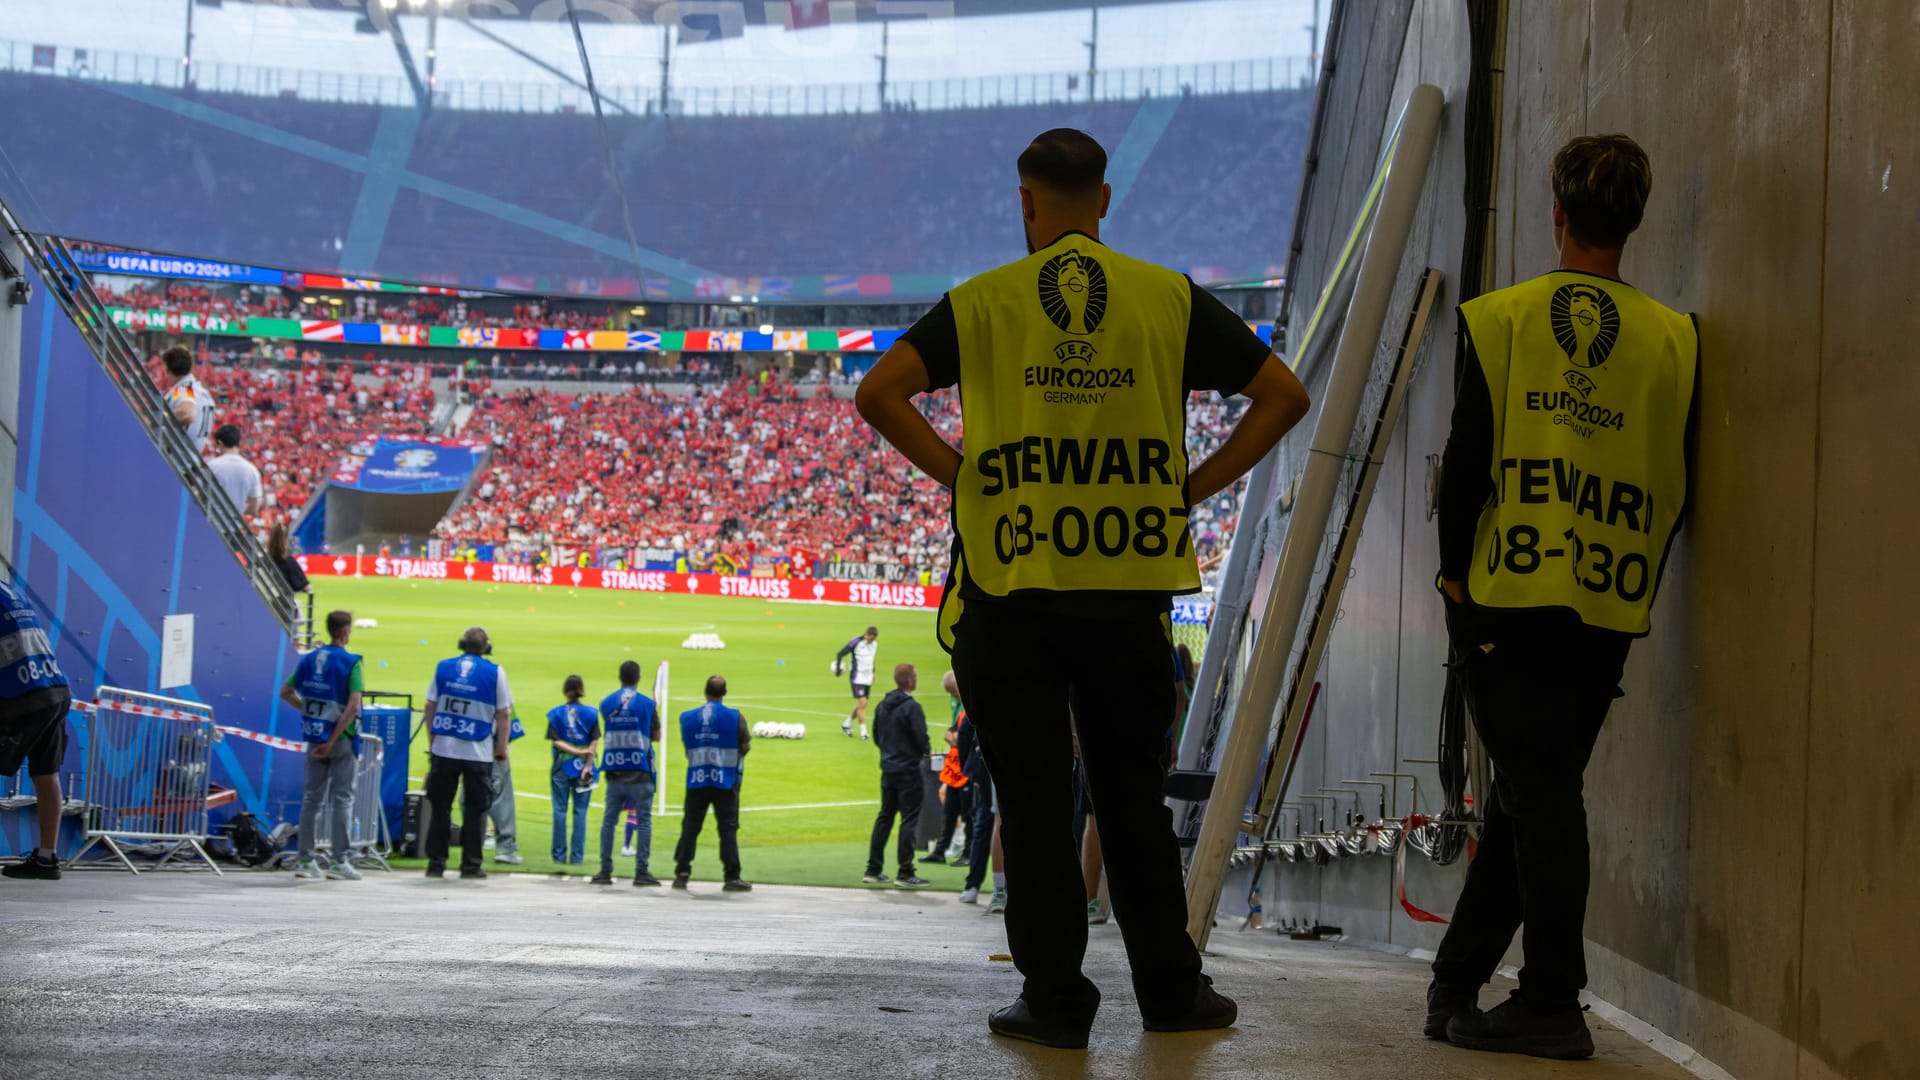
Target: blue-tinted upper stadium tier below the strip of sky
270,182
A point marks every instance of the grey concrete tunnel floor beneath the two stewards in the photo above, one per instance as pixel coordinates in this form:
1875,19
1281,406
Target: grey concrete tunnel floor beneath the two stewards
256,975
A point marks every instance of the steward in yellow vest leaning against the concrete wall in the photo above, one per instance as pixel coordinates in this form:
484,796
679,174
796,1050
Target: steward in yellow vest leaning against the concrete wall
1564,481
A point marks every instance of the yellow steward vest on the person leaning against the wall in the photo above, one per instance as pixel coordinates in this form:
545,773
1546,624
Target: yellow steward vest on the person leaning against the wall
1591,385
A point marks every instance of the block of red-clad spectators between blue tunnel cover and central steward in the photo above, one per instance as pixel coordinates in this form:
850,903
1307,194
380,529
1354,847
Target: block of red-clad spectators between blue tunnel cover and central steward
738,470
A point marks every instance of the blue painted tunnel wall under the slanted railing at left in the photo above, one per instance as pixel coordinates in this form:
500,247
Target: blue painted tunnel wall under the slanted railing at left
107,547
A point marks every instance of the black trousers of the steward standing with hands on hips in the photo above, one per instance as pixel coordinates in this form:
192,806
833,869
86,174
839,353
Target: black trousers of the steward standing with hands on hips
1019,672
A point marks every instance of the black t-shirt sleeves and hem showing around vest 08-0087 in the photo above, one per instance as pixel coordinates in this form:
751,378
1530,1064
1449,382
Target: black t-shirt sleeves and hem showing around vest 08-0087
1222,356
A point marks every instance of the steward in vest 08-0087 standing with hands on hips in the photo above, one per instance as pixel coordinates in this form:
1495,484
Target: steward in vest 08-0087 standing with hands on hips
1070,541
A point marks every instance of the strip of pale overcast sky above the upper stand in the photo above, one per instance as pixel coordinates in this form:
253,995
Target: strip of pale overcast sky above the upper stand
1193,32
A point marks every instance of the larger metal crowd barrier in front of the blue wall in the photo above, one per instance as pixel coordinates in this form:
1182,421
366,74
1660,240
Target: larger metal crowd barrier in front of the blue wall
149,768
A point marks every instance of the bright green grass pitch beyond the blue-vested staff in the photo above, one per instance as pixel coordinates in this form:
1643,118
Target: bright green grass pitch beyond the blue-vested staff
807,804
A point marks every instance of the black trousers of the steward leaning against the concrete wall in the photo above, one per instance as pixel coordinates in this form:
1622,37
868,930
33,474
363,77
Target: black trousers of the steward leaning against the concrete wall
1539,704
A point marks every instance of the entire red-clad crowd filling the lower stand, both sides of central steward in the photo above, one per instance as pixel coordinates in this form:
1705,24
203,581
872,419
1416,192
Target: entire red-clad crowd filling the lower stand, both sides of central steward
734,470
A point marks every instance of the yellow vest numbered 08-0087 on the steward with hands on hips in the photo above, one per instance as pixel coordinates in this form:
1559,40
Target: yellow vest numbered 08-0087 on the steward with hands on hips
1072,401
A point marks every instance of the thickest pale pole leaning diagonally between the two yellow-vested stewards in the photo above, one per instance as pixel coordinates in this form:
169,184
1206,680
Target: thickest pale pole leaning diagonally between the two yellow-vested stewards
1266,677
